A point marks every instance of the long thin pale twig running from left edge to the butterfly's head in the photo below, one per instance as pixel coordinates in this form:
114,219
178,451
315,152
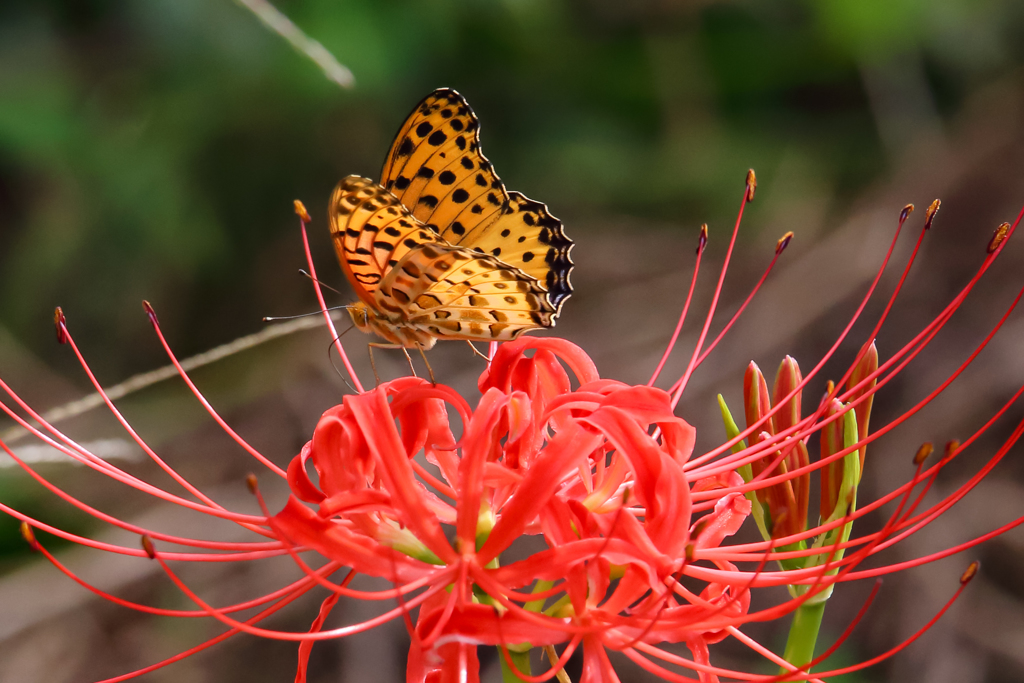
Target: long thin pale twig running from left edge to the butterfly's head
143,380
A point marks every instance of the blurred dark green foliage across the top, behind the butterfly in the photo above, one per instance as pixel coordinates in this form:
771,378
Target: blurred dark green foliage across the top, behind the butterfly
151,149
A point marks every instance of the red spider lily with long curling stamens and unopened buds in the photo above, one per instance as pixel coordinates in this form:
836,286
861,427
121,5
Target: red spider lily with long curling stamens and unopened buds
604,474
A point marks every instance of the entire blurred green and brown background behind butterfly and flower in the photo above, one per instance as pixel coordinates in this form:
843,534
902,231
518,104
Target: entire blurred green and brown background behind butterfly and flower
152,150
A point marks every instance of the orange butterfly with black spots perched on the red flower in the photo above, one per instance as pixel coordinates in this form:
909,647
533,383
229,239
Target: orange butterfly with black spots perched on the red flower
440,249
